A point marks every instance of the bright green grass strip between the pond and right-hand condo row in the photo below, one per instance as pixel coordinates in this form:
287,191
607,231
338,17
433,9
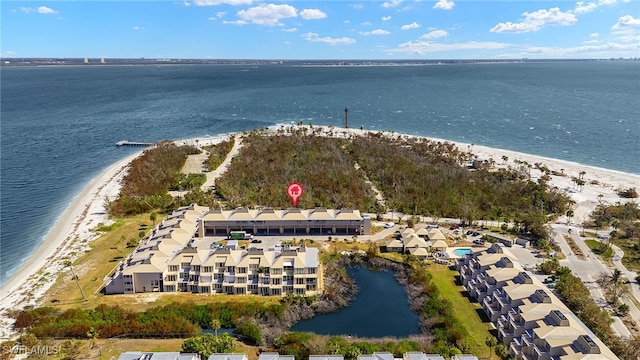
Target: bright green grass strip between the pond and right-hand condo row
466,312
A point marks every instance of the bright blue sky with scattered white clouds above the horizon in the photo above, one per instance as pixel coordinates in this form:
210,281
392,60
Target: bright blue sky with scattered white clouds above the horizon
330,29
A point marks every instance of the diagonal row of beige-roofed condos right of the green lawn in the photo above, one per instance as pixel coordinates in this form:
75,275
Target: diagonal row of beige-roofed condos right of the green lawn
531,321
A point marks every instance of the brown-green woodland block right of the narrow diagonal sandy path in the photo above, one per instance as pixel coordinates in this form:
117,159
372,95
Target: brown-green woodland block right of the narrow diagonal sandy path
427,177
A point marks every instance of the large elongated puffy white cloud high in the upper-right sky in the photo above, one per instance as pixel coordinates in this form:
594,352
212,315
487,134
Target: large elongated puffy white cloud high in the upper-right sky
537,20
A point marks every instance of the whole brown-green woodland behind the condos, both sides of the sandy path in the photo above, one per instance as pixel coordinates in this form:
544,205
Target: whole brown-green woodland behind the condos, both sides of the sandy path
415,176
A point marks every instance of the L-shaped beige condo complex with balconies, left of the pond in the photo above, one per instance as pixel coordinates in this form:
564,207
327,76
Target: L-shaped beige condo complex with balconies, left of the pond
176,258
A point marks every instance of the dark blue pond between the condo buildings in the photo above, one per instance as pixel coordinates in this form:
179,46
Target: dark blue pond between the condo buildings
381,308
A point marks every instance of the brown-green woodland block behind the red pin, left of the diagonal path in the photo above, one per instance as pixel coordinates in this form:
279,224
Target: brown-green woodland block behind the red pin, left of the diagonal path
267,164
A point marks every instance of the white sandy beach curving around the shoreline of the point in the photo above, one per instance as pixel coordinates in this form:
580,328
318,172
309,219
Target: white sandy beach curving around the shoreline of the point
73,230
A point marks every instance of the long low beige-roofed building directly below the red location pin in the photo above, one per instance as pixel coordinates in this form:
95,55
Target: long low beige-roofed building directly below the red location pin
318,221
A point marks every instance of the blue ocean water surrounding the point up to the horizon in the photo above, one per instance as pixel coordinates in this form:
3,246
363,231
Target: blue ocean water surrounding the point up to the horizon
59,125
